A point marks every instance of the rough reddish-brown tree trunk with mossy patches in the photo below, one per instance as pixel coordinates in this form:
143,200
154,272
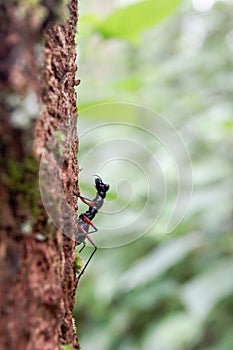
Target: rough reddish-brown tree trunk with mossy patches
37,276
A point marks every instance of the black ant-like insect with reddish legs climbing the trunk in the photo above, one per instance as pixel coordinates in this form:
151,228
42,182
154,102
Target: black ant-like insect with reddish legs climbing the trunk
85,219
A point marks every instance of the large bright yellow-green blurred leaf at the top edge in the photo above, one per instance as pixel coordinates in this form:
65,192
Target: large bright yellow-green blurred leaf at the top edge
129,21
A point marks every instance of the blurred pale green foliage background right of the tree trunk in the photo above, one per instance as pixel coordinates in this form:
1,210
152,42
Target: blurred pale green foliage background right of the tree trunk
148,287
